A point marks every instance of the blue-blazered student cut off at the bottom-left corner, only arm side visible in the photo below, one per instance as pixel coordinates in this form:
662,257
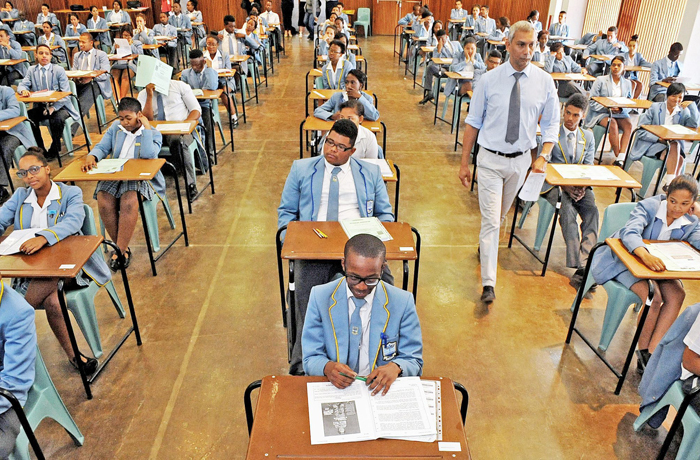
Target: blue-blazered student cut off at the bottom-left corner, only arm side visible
18,352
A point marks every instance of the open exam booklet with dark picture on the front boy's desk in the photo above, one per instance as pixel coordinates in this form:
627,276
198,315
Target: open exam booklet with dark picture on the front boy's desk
410,410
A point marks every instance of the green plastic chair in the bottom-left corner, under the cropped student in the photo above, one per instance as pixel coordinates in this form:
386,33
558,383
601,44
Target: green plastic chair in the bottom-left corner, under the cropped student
44,401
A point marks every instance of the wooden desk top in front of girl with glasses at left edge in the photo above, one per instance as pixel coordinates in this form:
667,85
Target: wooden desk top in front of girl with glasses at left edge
71,253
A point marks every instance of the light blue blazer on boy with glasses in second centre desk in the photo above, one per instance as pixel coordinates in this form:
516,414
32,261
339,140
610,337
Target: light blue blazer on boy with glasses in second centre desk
301,196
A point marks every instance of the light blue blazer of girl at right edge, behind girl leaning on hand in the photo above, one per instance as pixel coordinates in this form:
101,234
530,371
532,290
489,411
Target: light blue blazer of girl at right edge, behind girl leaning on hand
646,143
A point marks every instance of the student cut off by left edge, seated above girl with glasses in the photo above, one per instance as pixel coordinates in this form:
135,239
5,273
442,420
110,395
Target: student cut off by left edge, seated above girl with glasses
12,138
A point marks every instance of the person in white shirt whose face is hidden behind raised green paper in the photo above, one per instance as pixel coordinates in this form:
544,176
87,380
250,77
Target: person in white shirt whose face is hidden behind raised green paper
179,105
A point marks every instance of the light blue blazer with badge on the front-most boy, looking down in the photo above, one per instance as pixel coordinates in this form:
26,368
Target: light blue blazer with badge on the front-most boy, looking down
326,333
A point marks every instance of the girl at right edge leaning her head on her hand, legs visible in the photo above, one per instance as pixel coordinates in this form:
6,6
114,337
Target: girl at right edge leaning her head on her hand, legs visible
660,217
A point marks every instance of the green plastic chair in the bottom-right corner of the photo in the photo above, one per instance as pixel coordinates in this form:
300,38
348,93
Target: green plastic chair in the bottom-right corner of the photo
691,421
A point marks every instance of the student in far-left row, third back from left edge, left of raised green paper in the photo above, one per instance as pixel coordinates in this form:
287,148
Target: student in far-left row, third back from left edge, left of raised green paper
90,58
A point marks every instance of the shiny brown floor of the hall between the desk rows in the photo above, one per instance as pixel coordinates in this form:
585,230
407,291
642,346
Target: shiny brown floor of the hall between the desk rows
210,320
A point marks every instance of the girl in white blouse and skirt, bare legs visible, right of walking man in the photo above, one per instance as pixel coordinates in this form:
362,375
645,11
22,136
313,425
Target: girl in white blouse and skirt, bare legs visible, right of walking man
612,85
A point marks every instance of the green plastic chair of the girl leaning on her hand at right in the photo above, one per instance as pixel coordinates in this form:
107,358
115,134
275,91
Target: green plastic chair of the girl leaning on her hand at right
619,297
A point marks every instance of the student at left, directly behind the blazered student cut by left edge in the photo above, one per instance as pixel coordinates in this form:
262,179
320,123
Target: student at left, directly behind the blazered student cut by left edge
46,76
